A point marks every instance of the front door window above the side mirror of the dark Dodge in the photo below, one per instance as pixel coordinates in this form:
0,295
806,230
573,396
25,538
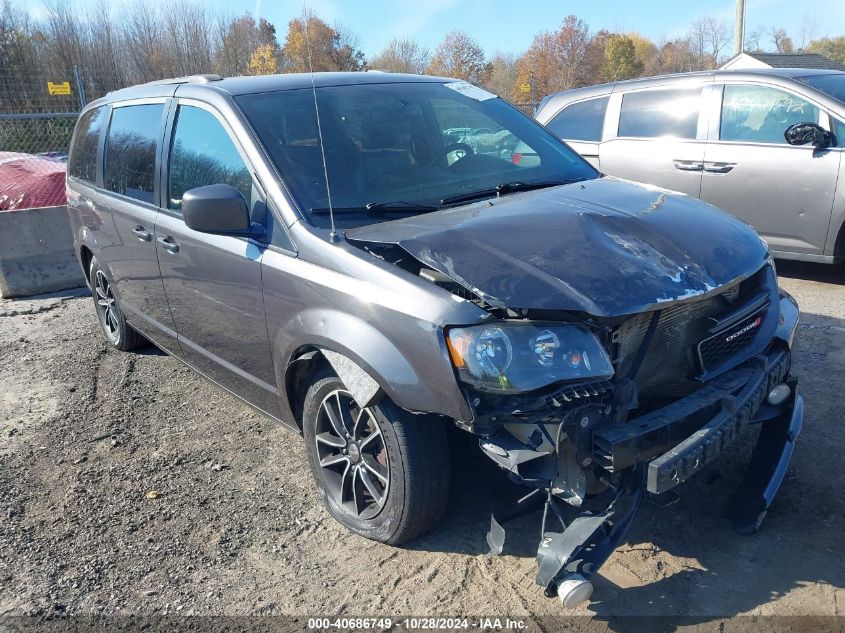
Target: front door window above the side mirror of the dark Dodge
202,153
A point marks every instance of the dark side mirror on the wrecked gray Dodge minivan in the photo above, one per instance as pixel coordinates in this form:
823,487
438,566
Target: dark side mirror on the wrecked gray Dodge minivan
216,209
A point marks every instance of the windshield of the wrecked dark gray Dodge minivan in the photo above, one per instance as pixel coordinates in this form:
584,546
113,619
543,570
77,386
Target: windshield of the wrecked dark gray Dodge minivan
402,148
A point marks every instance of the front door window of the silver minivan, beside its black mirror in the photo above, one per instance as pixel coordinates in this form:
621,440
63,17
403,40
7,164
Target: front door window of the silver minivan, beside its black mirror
759,114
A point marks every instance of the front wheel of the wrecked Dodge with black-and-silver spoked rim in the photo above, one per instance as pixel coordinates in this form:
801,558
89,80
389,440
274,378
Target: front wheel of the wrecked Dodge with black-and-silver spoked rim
381,472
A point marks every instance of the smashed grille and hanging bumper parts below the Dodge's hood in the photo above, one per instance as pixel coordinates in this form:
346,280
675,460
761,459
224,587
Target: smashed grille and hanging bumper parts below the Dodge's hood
683,381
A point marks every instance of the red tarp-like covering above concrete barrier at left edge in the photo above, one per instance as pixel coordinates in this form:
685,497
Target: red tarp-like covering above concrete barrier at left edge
28,181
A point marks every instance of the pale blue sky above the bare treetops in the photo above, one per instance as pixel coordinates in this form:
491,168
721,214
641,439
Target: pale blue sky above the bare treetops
509,25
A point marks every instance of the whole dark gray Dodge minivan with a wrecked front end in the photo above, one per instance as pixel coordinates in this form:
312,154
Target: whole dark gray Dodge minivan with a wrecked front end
376,268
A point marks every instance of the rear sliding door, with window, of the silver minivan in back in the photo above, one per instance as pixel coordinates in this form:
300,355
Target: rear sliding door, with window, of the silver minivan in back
657,136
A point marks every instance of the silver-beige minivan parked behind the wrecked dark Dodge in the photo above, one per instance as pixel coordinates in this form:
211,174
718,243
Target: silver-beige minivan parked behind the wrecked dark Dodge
720,136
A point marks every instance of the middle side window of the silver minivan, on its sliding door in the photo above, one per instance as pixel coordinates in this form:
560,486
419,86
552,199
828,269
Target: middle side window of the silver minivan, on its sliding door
660,113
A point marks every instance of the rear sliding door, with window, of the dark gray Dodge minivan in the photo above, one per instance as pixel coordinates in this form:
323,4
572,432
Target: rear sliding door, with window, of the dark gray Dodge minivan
128,209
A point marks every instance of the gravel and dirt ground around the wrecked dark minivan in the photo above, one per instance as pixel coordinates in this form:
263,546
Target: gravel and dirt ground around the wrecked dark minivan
86,433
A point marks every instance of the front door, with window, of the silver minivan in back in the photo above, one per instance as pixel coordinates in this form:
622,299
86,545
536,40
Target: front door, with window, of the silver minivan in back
785,192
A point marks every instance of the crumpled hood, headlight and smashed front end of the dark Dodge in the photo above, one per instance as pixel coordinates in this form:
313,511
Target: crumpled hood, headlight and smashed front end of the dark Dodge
621,353
